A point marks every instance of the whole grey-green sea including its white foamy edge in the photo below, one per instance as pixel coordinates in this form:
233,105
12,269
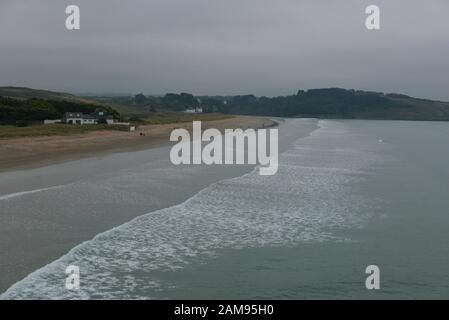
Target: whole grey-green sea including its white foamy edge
352,194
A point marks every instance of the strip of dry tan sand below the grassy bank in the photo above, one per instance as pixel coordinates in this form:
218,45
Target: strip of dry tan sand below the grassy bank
32,152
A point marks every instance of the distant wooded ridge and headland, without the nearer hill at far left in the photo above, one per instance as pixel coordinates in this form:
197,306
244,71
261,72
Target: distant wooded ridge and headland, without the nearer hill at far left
315,103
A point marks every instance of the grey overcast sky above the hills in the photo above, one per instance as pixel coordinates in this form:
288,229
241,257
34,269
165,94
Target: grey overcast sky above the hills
265,47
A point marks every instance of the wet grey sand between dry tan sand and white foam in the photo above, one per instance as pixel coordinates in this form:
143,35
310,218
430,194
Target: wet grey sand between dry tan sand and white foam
45,224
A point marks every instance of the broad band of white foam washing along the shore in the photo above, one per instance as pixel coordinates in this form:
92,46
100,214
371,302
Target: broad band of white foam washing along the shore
311,195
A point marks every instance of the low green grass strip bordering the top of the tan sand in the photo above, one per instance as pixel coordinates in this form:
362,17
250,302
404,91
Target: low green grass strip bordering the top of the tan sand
7,132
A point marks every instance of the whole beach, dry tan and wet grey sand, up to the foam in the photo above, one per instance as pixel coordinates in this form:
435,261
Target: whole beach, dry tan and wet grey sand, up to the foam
57,192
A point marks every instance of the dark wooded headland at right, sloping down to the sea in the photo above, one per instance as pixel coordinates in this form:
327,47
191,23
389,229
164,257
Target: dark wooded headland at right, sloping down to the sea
340,103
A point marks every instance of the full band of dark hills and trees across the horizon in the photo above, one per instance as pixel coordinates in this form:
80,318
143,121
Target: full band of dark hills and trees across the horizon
31,104
